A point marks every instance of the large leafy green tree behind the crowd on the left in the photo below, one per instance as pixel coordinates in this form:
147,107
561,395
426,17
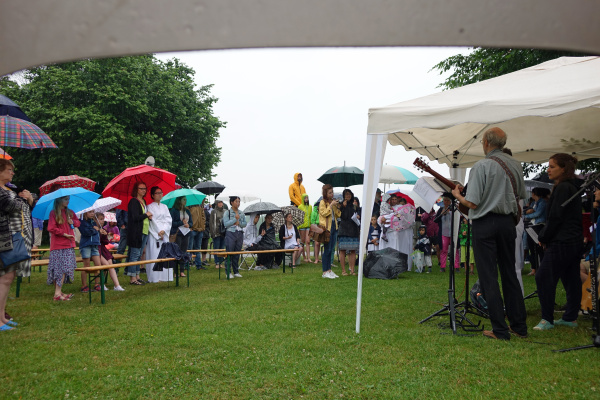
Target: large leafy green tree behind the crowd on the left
109,114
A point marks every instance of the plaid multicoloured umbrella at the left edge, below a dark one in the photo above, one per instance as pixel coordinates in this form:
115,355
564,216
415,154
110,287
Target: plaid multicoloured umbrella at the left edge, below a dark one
15,132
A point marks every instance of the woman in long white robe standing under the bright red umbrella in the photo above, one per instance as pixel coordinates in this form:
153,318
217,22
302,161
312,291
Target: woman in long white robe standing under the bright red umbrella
158,233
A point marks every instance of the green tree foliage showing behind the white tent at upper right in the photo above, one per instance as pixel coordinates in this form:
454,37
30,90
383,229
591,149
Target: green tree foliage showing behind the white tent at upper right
484,63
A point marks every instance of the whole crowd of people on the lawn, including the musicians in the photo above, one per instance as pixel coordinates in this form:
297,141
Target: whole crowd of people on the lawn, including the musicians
491,237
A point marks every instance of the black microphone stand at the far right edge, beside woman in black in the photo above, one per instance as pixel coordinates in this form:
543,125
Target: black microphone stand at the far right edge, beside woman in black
588,186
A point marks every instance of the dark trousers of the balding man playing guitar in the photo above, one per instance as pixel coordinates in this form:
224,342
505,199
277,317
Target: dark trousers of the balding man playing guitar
494,249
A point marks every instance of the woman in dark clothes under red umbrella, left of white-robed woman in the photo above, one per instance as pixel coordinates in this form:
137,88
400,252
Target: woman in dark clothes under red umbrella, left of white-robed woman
138,226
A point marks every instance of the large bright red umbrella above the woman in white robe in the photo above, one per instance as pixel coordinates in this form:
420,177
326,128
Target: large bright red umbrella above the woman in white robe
120,187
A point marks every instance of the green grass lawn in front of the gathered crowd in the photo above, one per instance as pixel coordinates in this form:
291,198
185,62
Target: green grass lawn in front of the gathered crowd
275,335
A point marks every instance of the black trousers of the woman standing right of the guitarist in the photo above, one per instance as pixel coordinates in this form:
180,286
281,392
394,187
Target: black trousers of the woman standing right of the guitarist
561,262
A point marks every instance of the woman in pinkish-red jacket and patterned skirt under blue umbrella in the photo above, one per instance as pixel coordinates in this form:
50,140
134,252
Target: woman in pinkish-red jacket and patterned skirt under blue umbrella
62,261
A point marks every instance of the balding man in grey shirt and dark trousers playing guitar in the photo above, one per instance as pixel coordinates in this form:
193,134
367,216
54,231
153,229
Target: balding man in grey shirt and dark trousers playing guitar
492,208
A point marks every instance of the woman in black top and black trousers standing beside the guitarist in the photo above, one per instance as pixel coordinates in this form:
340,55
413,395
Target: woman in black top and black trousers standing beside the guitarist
562,237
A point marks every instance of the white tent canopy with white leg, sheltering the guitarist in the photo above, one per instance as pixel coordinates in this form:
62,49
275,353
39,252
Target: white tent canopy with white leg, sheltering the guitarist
549,108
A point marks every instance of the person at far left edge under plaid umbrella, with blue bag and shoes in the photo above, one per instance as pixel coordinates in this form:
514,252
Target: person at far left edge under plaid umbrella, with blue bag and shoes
14,213
